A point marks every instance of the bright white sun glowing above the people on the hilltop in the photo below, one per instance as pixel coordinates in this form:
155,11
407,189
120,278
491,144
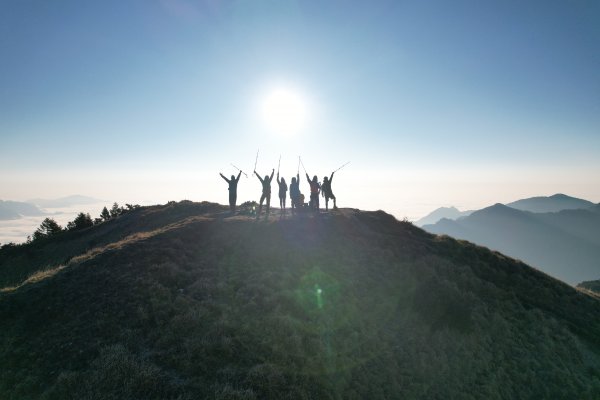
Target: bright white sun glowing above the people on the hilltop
284,110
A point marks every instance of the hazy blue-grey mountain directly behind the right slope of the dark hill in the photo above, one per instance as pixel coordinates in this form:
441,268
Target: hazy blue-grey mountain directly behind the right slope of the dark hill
564,244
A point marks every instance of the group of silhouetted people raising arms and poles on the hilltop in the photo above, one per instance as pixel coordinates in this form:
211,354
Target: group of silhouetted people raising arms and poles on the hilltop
297,199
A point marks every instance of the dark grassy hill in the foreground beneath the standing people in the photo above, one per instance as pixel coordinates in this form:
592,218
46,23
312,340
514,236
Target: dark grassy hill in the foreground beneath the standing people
183,301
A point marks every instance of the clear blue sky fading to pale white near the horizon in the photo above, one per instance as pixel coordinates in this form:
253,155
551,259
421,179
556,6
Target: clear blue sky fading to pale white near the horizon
434,103
